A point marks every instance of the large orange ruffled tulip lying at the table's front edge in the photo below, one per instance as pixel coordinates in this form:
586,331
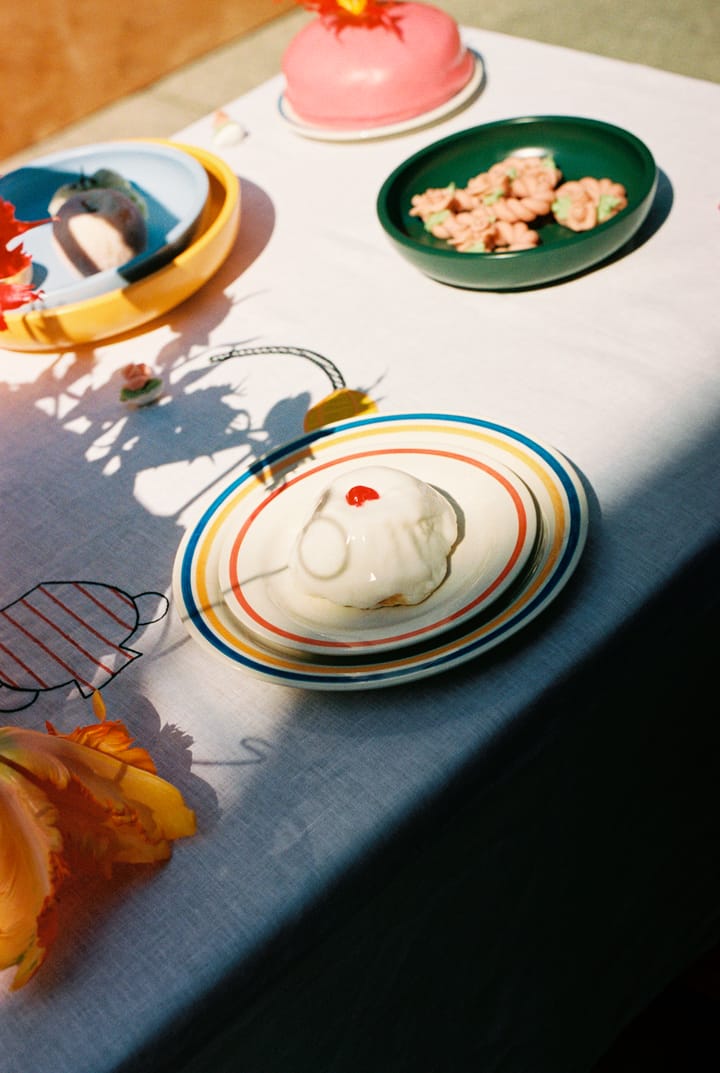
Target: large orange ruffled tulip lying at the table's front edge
74,802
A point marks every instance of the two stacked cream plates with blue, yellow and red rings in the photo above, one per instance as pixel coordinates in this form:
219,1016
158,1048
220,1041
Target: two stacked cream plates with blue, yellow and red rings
523,523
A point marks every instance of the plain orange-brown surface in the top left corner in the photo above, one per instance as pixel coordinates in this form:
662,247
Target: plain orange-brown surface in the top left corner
63,60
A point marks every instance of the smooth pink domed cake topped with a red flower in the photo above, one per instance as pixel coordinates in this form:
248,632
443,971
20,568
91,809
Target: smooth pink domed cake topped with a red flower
365,64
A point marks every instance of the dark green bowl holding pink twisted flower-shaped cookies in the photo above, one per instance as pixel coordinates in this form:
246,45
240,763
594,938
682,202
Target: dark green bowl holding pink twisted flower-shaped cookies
580,148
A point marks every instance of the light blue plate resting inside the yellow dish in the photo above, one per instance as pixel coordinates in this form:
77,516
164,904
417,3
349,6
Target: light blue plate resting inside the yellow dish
175,188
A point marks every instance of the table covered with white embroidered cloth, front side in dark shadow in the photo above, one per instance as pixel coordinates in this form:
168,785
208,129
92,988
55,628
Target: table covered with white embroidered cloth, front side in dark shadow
494,869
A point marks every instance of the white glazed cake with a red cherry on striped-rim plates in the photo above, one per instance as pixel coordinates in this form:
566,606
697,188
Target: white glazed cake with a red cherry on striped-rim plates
378,537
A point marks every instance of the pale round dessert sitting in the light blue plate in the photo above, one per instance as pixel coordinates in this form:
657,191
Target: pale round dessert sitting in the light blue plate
100,229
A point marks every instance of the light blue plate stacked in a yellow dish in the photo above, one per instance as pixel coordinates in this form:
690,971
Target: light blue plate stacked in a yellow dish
194,215
